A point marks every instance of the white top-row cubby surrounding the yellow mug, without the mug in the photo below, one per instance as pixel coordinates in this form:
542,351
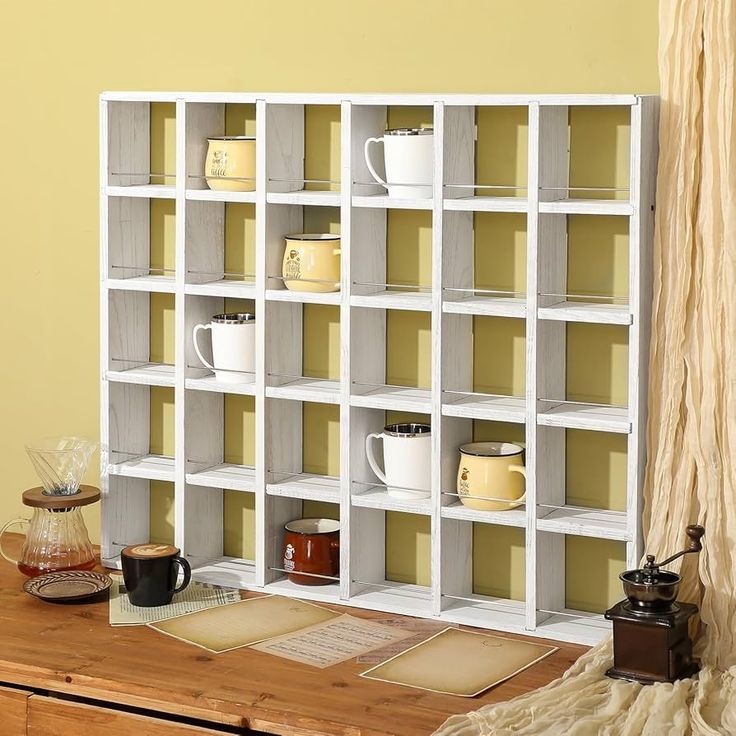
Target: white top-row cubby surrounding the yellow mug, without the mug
214,119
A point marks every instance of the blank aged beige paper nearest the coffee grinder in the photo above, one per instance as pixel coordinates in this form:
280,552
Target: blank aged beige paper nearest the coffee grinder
458,662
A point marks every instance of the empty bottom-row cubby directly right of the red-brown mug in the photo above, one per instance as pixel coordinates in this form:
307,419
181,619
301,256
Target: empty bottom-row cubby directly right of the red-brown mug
376,535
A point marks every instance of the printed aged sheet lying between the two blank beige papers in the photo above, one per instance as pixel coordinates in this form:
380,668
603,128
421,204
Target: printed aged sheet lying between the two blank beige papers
333,641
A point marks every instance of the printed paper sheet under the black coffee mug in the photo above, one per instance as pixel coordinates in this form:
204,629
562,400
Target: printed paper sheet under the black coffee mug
196,597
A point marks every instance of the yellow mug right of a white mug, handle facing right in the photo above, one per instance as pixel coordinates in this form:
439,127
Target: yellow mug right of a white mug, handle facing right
491,476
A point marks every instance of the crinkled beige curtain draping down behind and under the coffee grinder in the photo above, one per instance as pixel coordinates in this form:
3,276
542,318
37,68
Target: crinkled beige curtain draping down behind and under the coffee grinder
692,406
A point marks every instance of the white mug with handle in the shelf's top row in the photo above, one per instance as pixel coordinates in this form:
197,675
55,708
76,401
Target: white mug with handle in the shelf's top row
409,157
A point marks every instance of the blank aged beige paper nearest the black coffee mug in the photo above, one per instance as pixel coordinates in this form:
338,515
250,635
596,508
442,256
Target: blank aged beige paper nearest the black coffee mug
242,624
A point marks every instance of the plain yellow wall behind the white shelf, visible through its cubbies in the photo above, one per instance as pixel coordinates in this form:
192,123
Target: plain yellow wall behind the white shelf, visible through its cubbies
50,82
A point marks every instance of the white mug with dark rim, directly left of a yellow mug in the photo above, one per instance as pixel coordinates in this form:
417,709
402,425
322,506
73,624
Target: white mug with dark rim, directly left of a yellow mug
407,454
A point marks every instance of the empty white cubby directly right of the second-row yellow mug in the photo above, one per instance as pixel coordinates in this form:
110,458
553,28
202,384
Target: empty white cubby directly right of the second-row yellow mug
391,259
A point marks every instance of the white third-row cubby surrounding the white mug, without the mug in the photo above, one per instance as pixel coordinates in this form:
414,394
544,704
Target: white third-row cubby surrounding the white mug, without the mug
200,310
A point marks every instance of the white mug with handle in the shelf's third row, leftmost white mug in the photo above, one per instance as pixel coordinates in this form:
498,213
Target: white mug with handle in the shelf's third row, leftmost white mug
233,347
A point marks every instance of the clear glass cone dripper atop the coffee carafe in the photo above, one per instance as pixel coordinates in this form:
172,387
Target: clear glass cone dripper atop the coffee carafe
61,463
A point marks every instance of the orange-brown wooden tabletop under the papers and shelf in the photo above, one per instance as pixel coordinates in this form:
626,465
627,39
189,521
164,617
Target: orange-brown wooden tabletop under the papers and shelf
71,648
